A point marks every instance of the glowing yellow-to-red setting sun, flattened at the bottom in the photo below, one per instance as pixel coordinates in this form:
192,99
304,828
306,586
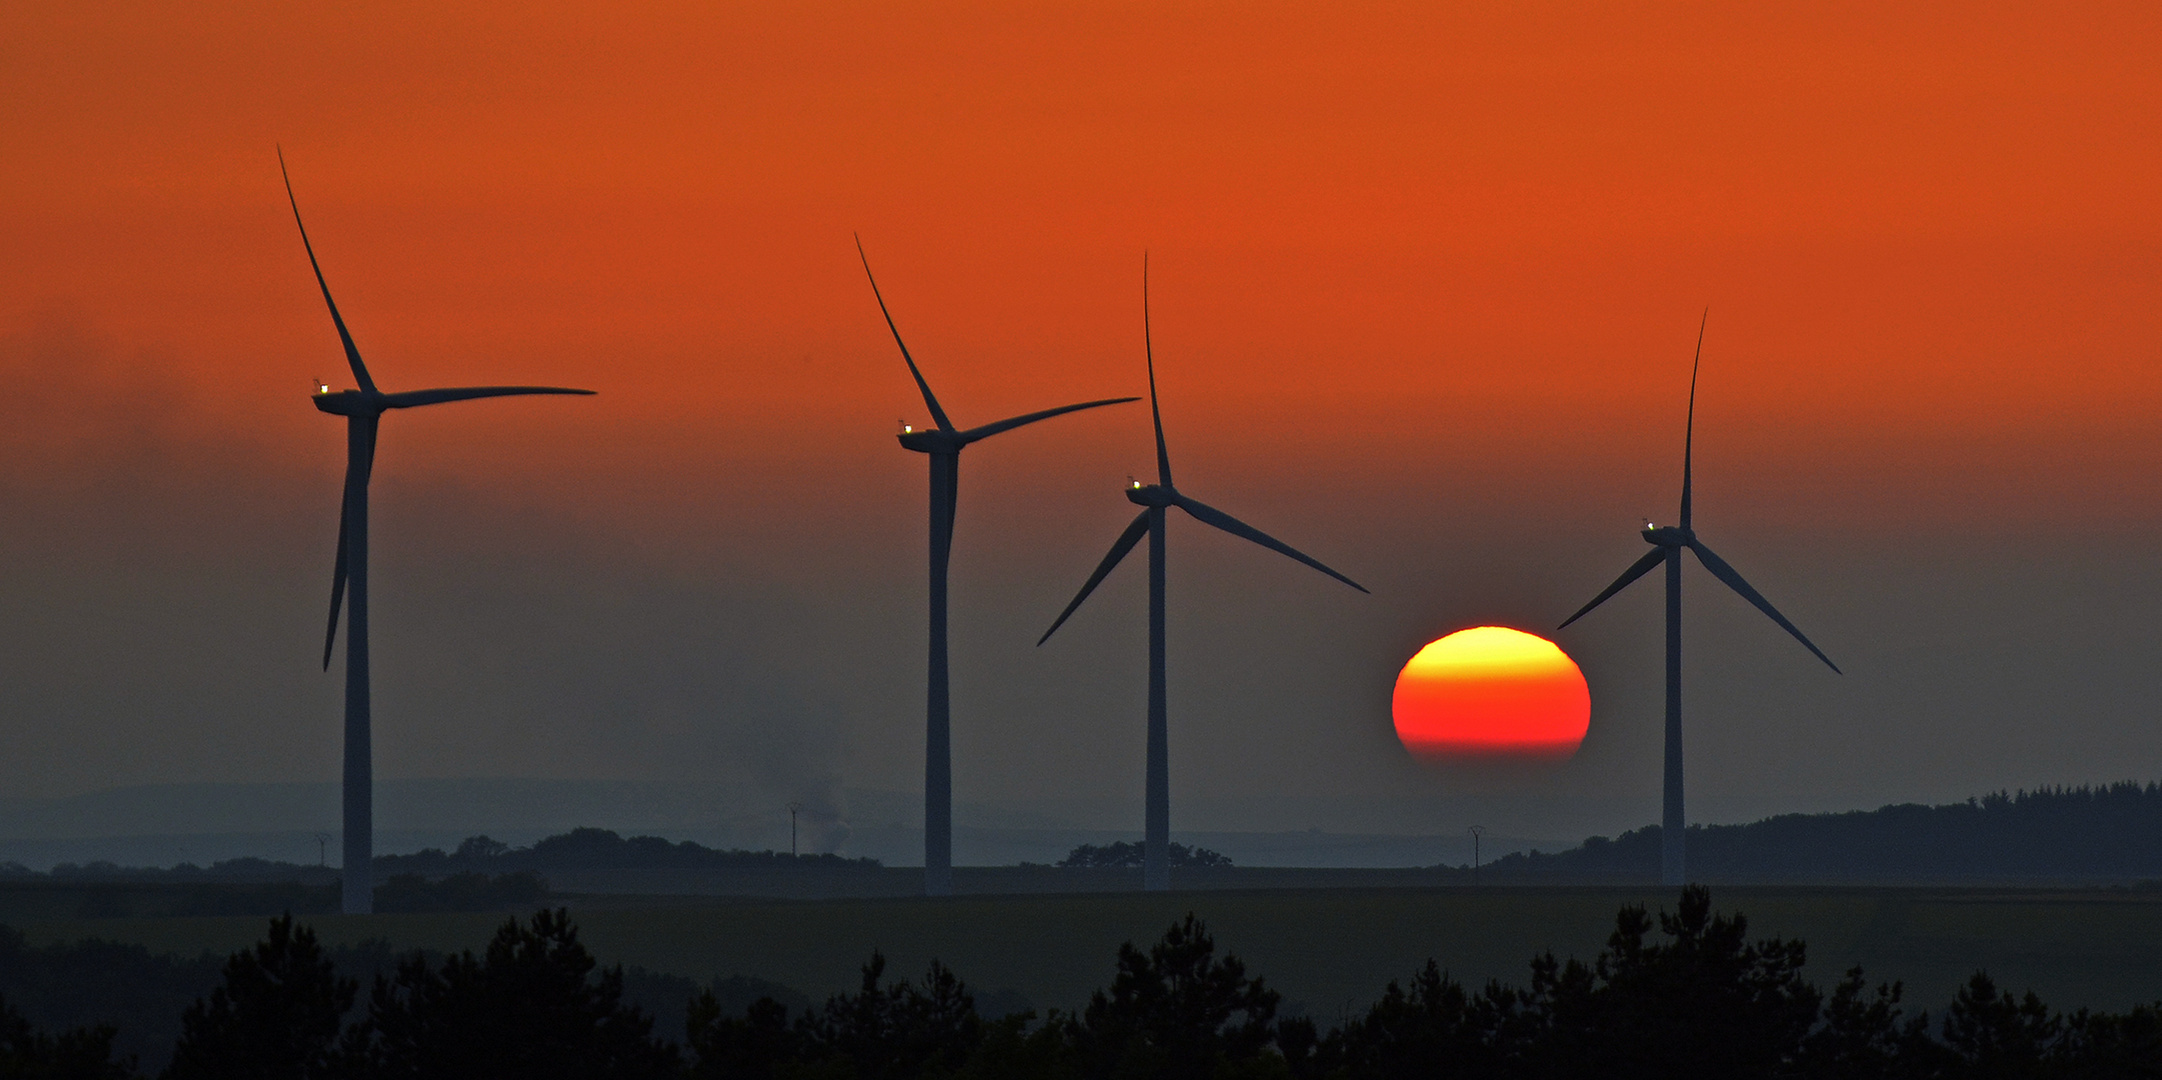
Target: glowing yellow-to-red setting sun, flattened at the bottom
1491,694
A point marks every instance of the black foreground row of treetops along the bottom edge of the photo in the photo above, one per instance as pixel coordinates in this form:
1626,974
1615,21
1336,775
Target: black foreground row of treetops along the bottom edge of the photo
1683,995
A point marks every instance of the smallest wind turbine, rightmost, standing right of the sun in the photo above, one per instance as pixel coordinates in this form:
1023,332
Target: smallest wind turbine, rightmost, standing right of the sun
1668,545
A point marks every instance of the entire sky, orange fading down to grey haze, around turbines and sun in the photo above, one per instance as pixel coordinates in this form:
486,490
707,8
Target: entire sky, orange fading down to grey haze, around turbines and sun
1426,288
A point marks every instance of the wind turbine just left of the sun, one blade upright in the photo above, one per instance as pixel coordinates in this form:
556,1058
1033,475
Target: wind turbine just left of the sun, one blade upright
1156,502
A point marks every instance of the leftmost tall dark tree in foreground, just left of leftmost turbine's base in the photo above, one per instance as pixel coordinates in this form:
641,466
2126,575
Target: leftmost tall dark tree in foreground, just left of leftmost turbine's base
276,1016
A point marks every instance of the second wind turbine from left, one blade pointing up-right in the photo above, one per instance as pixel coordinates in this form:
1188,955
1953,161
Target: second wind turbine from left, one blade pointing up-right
944,448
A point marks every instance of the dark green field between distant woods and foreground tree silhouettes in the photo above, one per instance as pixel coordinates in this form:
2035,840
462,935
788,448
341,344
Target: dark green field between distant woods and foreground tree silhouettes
1329,949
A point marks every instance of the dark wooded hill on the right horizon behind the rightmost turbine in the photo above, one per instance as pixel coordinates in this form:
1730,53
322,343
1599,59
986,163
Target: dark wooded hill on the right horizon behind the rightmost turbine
2053,835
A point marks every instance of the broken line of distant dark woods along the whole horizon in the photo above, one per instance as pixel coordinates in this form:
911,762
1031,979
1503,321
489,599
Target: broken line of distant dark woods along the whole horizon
2051,835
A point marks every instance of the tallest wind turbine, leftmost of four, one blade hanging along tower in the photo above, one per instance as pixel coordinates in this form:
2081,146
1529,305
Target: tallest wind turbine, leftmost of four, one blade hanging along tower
362,409
